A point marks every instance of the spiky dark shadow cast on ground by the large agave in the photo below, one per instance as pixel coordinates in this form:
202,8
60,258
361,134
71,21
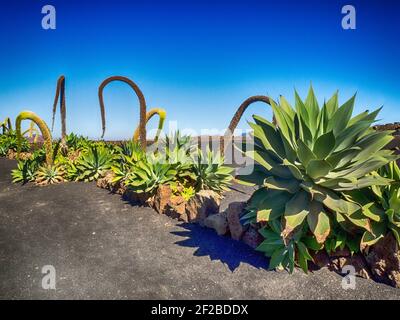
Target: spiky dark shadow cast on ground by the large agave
208,243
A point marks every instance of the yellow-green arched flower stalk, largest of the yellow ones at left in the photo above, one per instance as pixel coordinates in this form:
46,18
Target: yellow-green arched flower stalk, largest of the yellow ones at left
44,129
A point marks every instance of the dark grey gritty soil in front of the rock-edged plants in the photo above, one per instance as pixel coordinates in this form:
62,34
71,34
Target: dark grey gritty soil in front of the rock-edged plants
105,248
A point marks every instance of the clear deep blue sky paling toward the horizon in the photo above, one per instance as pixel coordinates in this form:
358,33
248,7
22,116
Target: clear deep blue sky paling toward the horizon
197,59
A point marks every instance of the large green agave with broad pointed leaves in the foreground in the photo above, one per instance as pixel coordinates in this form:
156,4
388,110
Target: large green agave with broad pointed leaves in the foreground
302,166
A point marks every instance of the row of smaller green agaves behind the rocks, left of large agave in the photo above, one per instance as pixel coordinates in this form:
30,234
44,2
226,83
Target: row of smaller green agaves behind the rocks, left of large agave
182,165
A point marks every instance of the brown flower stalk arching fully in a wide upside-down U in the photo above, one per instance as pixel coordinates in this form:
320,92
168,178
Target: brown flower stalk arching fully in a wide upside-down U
142,105
